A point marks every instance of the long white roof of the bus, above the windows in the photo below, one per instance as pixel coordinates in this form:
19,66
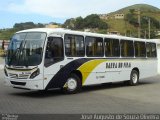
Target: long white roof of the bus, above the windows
62,31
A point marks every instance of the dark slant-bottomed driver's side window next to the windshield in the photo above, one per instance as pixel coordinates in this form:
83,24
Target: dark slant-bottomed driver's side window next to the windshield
54,51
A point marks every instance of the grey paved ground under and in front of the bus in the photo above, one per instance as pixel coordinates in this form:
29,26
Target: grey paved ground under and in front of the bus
113,98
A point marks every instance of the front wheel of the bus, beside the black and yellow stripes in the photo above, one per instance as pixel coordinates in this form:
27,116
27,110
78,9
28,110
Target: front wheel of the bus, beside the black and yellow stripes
73,84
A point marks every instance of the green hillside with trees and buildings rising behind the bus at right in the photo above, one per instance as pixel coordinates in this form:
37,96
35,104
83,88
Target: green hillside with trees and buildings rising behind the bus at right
127,25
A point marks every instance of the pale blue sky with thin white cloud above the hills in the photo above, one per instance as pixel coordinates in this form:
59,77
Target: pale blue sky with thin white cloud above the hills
46,11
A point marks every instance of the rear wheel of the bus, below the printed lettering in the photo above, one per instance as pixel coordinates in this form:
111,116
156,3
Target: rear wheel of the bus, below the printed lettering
134,78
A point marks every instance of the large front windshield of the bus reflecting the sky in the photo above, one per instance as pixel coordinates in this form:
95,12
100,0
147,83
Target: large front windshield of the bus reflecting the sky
26,49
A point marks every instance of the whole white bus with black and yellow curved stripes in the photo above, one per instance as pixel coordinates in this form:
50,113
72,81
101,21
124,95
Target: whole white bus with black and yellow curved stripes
43,59
